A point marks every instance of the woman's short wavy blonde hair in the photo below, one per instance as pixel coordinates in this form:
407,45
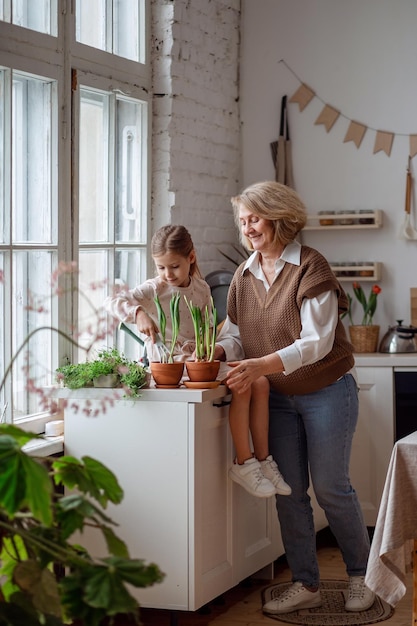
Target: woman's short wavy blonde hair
275,202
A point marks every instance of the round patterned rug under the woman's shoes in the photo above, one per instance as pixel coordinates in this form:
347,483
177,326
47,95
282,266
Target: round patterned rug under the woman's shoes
332,612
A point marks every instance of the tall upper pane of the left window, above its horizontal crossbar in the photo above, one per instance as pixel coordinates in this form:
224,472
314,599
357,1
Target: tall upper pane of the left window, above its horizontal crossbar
32,139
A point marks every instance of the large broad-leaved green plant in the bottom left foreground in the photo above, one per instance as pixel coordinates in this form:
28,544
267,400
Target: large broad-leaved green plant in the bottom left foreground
48,579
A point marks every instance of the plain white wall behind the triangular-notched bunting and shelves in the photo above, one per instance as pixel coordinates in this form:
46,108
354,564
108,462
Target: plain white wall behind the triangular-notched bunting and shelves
359,56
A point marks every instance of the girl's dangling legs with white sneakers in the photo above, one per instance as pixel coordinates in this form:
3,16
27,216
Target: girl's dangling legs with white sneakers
249,413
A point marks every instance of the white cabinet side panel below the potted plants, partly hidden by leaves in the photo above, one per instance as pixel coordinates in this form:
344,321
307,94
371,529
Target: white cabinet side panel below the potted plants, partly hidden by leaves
145,444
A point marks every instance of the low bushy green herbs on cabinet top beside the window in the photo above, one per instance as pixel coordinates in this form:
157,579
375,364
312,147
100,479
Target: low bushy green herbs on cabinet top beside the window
132,375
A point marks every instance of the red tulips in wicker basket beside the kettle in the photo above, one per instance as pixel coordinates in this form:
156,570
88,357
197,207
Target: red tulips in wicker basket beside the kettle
364,336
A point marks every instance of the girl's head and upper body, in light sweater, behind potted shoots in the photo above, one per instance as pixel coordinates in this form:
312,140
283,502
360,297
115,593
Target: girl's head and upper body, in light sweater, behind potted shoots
175,259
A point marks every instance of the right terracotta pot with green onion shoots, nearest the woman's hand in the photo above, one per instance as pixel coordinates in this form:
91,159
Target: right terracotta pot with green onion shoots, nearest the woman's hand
204,368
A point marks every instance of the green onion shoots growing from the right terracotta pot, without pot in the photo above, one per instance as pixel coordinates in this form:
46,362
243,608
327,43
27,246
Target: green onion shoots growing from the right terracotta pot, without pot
205,330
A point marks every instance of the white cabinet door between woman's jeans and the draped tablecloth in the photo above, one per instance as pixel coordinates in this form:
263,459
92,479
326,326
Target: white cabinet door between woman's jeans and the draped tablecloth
374,437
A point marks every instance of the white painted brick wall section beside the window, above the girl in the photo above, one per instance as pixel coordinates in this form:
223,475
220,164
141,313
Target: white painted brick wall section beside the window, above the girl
196,128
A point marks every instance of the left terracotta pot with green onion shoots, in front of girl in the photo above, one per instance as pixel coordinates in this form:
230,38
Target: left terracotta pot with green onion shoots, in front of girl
167,372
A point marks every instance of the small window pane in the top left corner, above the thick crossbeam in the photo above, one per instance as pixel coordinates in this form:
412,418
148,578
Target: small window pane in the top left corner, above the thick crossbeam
39,15
